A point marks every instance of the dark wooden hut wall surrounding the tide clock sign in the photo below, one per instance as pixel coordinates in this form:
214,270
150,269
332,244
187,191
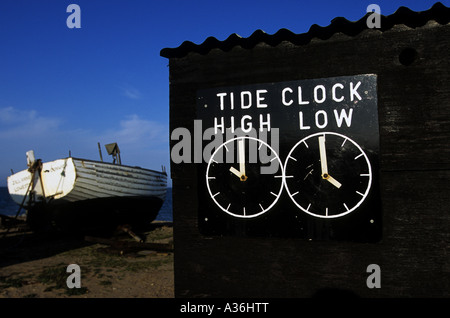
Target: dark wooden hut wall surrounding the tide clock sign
413,69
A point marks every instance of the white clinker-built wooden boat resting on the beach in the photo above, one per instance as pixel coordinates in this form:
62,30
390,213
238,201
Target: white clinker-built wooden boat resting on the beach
81,193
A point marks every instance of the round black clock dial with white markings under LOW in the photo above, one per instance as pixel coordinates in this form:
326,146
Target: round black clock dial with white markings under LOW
327,175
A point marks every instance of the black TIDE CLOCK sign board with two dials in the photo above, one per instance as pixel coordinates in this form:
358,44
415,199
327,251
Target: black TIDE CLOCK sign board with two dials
320,139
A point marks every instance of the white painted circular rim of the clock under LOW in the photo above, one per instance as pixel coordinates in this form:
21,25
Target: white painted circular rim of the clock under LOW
369,184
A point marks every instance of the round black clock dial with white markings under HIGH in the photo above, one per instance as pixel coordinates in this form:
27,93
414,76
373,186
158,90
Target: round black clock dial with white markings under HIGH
242,189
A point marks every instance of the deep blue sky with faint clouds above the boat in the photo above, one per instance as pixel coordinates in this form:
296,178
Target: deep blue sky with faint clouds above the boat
66,89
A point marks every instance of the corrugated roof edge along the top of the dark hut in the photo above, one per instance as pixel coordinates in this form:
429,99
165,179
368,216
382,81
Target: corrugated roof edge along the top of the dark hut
438,12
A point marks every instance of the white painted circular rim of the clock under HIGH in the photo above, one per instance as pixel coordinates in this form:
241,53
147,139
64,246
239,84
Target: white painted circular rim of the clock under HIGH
282,177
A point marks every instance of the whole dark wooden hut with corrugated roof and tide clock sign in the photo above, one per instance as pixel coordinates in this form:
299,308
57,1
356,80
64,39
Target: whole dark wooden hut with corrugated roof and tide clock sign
395,243
